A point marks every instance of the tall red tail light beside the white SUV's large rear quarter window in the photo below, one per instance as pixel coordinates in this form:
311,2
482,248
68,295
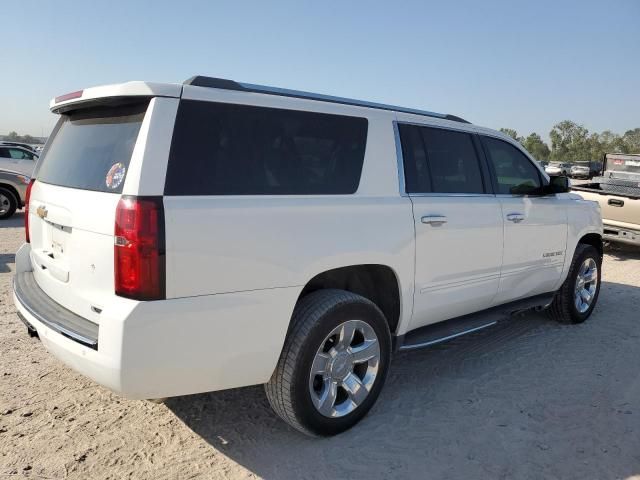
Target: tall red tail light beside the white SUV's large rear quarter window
139,248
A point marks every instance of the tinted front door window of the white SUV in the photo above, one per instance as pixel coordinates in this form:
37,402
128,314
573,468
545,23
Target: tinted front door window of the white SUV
515,173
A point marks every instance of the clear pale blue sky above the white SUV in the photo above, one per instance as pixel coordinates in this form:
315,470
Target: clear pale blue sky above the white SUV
519,64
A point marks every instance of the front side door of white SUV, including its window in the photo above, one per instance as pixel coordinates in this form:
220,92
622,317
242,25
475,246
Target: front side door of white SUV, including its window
535,226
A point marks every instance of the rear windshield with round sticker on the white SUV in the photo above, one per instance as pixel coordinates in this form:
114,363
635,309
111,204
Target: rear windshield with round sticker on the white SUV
91,148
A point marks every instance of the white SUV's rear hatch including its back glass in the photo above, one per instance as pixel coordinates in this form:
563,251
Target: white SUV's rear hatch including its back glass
73,203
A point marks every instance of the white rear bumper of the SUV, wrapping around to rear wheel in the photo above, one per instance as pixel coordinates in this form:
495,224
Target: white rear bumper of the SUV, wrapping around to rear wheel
171,347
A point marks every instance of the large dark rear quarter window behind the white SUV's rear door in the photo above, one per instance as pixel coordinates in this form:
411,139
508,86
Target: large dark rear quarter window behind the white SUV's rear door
224,149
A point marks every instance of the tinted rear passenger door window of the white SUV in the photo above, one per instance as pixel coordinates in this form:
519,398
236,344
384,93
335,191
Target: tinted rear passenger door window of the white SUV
440,161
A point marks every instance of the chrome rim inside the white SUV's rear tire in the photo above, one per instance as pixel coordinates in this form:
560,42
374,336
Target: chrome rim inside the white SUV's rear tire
344,369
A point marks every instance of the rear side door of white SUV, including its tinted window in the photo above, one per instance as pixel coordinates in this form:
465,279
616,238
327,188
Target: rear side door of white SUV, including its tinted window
458,223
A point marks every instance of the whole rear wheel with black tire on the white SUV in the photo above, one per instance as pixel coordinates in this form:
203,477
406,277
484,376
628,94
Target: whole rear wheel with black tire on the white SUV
296,395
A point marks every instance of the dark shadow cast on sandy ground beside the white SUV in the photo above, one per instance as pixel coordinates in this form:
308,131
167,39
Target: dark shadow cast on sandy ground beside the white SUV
526,398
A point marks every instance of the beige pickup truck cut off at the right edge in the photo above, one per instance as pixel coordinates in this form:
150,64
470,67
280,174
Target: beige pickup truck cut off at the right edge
618,193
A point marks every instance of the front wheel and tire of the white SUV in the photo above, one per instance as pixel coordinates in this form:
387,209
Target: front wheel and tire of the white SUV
564,307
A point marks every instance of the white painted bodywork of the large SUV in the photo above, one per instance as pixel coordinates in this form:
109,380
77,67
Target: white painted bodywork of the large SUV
237,264
